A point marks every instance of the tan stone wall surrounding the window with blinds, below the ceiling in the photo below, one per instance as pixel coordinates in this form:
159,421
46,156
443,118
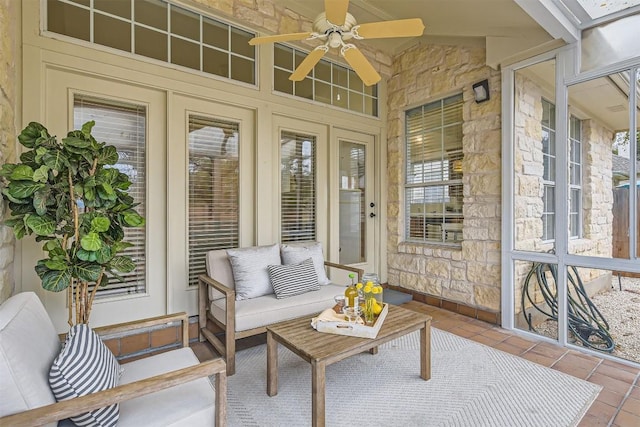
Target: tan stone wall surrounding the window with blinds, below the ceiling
469,274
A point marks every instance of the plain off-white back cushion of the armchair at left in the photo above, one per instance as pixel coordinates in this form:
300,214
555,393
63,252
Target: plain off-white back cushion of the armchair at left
28,345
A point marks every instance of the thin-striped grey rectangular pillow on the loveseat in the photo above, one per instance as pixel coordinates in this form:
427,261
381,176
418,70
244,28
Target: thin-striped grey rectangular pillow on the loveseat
293,279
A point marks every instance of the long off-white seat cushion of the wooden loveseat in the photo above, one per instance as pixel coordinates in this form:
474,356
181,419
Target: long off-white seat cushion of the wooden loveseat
267,309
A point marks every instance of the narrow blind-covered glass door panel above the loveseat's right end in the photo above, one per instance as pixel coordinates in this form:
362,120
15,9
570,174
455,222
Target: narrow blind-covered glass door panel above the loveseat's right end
298,187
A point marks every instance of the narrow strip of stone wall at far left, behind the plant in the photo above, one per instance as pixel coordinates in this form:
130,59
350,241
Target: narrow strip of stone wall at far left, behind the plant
9,52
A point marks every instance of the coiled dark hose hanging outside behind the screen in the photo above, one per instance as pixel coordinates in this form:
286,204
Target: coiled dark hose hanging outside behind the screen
585,321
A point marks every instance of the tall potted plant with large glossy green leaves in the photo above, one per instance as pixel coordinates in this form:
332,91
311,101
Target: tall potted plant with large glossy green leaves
70,196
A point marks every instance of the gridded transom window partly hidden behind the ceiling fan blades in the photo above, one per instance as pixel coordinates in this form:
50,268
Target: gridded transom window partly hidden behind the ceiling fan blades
328,82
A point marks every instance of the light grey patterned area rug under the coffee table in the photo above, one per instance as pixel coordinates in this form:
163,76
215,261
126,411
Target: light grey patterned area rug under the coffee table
471,385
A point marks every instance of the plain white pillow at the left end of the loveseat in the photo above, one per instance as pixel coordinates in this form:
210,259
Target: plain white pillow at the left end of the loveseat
249,267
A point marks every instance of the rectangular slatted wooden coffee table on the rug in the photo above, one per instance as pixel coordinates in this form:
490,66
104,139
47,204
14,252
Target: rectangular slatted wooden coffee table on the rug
322,349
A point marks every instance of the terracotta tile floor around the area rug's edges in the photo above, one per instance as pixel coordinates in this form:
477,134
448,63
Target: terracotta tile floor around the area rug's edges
618,404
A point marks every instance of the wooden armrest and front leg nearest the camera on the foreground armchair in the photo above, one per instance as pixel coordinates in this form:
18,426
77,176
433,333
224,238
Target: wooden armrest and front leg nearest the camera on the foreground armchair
65,409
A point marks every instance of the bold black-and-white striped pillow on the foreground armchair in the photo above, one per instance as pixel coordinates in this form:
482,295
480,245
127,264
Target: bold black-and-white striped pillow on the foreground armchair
84,366
